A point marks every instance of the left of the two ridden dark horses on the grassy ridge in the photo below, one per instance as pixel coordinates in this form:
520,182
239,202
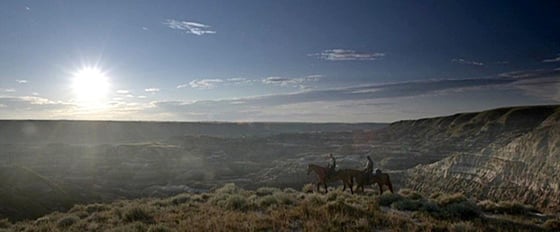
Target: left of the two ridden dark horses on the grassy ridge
324,176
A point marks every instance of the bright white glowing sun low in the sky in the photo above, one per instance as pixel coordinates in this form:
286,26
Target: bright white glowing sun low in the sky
90,86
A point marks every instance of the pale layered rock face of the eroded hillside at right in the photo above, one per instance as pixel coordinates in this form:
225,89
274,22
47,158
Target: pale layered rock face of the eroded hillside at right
513,154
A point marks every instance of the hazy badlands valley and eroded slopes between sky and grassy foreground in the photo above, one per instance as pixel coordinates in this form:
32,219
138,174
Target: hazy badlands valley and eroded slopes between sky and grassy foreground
52,165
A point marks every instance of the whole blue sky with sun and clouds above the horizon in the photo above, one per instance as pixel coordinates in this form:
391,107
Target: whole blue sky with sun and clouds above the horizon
304,61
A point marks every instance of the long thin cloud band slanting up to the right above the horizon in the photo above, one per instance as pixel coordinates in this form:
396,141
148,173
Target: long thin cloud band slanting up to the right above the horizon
524,81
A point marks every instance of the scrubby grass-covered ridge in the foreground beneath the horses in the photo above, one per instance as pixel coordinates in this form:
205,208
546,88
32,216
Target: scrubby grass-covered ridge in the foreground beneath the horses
232,208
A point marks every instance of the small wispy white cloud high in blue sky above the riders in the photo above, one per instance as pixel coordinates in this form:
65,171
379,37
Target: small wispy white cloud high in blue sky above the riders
347,54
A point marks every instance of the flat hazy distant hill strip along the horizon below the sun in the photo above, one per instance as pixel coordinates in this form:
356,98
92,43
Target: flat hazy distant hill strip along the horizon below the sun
100,132
